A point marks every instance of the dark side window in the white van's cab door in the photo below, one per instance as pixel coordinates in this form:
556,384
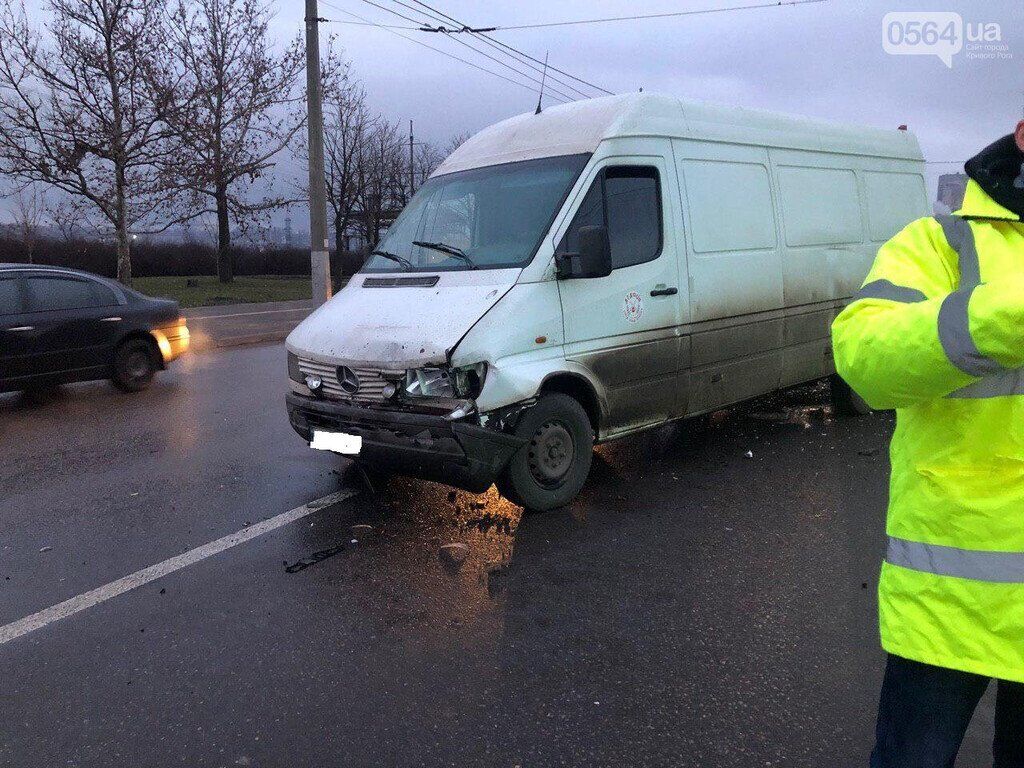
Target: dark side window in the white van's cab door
628,201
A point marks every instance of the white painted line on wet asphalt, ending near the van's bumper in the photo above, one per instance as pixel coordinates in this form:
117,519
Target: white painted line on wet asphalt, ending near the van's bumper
140,578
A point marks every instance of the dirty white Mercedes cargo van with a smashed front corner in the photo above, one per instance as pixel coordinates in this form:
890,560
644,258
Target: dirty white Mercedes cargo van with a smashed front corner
604,268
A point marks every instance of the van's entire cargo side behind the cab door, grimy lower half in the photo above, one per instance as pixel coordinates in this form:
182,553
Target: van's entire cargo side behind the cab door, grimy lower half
778,242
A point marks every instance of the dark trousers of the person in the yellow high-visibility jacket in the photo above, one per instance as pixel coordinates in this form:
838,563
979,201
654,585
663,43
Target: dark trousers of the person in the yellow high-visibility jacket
925,711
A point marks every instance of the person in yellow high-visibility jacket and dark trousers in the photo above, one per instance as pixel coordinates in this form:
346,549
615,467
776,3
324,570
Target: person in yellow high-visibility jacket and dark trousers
937,333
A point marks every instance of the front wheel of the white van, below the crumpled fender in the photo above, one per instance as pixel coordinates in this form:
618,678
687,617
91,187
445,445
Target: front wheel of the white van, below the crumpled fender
552,467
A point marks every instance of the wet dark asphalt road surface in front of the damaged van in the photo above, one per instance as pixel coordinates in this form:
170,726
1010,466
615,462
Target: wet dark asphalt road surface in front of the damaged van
695,608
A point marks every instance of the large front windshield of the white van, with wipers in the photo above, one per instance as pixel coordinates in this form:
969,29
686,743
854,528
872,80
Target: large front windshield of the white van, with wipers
486,219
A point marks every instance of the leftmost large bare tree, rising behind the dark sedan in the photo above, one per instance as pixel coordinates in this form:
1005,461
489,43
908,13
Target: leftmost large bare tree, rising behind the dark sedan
83,110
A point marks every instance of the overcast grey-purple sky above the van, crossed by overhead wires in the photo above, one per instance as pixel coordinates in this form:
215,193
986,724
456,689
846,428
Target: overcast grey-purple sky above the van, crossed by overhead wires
824,60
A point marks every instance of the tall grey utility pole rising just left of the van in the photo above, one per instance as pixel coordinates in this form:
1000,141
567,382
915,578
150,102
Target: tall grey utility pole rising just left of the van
319,246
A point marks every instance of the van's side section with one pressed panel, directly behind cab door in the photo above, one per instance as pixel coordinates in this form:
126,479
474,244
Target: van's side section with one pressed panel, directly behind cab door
736,274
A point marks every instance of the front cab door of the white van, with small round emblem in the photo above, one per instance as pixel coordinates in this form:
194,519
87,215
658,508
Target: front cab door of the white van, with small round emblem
626,327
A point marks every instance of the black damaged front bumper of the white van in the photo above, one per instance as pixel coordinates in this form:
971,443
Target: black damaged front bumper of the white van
429,446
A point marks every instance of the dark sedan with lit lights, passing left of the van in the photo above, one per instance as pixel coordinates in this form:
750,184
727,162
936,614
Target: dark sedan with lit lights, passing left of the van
60,326
